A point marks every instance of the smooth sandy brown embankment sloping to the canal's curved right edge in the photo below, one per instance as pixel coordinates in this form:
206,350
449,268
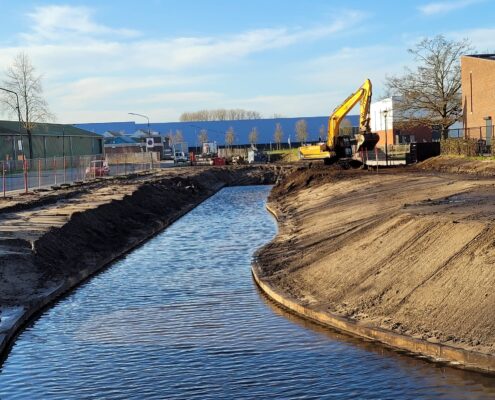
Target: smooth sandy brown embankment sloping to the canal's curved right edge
404,251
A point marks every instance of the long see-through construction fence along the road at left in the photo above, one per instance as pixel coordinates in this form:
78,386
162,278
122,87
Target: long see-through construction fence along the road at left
36,174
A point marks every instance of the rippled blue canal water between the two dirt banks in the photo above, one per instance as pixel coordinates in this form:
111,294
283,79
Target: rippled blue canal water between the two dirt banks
180,317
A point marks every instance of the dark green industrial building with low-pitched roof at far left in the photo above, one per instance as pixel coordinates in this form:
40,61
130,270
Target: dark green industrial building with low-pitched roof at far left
47,140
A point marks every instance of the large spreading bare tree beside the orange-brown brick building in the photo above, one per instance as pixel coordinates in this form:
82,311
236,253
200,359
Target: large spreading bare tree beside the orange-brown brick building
431,94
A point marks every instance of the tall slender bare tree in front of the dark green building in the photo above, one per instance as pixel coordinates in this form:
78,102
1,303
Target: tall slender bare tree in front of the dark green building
22,79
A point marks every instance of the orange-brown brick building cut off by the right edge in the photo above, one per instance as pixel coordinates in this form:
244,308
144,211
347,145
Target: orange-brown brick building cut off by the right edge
478,95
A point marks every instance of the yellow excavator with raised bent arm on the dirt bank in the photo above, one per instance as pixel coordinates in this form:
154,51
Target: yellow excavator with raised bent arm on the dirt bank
340,147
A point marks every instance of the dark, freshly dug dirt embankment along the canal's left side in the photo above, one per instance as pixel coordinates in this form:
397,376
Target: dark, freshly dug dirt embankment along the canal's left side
49,244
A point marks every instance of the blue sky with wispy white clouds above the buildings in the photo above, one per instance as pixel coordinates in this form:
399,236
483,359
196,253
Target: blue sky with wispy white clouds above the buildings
100,60
